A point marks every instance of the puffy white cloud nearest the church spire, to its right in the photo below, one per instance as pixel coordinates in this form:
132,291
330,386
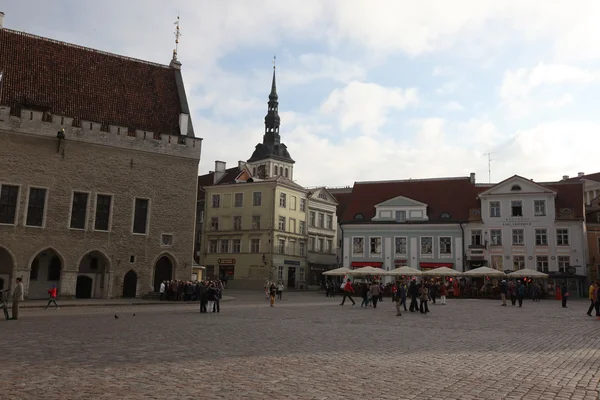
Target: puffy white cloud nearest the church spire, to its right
367,105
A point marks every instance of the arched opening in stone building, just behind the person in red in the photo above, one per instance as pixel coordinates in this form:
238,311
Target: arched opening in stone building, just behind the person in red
46,270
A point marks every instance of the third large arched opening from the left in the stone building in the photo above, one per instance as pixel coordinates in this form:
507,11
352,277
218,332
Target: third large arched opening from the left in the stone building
91,276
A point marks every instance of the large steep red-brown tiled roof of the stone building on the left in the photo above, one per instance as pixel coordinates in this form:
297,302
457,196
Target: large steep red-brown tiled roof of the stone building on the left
87,84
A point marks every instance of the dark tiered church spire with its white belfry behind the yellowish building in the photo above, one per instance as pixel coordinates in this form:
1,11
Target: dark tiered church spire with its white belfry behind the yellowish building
271,158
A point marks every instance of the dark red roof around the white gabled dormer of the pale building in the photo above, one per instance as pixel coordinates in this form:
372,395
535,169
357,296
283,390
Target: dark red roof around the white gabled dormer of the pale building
451,195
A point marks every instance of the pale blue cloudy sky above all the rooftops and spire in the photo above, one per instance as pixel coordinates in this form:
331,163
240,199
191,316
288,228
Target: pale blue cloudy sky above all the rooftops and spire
369,90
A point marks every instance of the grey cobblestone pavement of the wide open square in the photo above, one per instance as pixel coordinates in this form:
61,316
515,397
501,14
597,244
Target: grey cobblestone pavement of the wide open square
306,347
